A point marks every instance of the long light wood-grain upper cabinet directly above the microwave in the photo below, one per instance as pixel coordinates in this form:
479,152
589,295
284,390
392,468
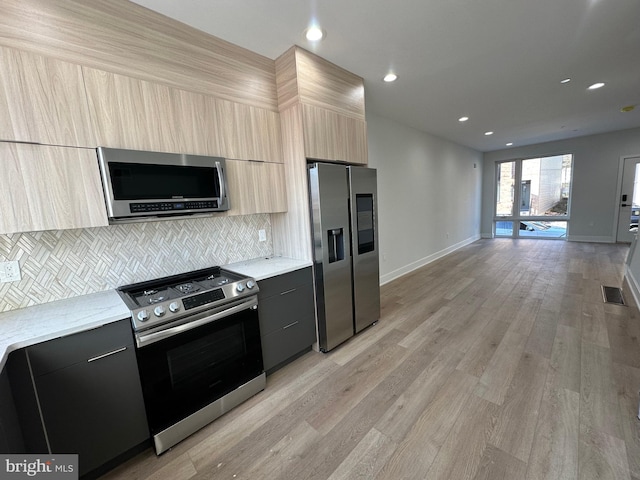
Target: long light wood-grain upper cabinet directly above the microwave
142,115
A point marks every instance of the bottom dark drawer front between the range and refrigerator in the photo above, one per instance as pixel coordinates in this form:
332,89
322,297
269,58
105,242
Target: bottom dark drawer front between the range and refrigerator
280,345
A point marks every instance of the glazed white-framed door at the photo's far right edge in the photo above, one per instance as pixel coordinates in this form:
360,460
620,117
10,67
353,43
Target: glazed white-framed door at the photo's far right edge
629,200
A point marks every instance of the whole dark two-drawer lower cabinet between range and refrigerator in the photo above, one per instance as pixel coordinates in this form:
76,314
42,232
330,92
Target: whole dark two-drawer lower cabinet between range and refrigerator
287,318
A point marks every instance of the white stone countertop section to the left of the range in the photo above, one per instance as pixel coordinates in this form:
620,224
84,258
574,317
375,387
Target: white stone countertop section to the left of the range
39,323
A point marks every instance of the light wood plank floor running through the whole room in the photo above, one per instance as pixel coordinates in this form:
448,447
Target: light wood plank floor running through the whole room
499,361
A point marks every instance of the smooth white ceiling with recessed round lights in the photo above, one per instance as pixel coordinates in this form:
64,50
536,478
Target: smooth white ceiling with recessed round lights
498,62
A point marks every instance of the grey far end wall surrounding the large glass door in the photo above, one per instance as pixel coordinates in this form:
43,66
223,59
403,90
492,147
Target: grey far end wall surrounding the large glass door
596,160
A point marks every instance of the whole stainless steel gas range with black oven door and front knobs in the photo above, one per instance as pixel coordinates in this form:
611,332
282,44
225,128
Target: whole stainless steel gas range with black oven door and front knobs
198,348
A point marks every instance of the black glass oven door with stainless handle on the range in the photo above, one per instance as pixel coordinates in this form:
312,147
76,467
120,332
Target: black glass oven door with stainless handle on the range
194,366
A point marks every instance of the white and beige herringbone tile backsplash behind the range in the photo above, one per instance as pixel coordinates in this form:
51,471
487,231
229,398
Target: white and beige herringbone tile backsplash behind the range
66,263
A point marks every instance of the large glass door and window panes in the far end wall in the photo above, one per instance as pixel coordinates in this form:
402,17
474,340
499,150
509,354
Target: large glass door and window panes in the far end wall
533,197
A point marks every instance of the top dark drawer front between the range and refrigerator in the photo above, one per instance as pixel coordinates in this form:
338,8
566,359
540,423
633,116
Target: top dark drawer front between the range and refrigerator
278,311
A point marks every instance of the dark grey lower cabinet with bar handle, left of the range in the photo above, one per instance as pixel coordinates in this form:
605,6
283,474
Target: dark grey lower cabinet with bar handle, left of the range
88,390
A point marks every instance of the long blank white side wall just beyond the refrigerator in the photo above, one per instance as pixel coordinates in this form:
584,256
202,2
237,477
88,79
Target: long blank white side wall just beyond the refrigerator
429,194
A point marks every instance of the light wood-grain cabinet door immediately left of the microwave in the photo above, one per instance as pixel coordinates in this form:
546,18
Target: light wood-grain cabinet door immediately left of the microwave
49,188
